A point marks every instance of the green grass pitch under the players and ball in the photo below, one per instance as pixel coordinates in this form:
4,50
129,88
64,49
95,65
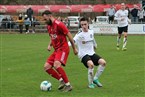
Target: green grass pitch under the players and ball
22,58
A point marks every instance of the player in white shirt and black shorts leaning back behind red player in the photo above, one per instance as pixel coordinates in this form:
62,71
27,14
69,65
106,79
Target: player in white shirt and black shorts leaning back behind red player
86,44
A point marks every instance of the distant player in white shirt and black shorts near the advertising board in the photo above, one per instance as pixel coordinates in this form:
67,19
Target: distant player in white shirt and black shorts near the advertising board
122,18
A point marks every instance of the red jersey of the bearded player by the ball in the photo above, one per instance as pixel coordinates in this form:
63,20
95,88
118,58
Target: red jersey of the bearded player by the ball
57,32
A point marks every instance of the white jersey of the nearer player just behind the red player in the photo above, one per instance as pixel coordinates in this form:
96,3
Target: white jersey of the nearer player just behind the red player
85,42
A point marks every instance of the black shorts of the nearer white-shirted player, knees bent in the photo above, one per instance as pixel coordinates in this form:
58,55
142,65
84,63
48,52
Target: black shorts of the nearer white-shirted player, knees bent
95,58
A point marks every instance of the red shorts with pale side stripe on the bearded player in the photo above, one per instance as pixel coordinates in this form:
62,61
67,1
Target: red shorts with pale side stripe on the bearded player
59,55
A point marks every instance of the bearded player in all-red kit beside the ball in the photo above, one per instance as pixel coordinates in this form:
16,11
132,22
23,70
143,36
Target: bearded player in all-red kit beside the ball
58,33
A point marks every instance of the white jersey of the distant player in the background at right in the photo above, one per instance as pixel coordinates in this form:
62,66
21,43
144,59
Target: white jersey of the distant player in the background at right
122,14
